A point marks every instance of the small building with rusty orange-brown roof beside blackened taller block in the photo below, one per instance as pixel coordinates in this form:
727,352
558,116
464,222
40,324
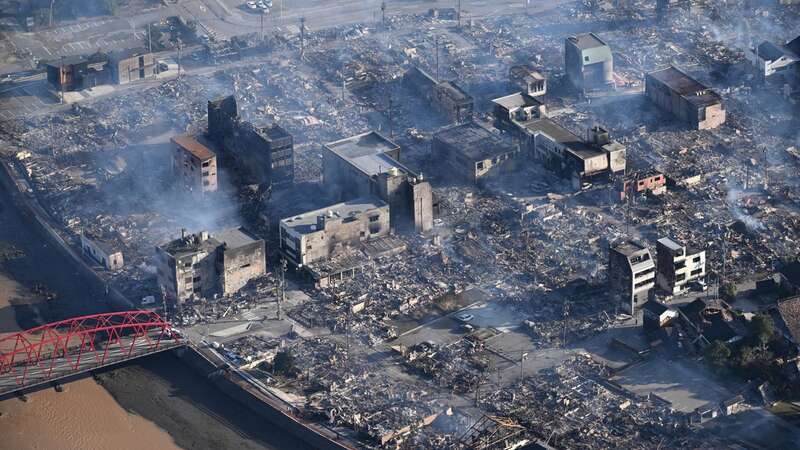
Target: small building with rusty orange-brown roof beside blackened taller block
194,164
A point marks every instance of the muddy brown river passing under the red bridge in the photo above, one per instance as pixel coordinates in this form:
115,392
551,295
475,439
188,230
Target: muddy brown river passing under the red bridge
153,403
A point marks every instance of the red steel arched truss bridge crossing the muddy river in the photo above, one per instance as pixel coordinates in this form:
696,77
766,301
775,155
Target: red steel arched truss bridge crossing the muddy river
70,347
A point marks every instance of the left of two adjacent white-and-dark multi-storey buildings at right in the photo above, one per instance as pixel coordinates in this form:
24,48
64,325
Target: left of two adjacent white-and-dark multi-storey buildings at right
631,275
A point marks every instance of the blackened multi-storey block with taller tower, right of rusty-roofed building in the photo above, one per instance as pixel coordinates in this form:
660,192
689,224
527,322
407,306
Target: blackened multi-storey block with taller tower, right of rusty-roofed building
261,155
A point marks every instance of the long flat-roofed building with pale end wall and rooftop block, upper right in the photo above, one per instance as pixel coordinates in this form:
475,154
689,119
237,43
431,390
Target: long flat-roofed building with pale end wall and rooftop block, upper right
597,158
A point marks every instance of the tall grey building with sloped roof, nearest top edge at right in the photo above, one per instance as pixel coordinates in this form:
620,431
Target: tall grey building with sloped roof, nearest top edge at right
589,63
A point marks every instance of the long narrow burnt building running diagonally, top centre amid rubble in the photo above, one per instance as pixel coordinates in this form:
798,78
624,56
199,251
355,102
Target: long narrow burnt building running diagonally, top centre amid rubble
447,96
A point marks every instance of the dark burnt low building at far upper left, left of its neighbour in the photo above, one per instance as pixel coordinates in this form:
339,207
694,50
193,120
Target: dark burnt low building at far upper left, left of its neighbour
74,73
